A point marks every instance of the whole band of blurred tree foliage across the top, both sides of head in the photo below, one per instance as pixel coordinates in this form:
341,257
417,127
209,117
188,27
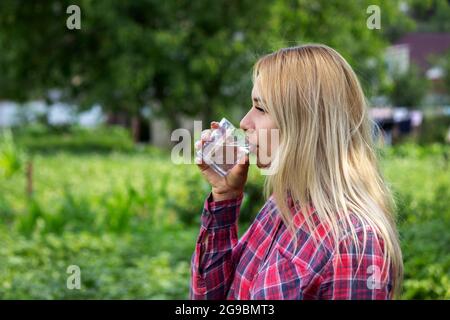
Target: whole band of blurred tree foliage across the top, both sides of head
176,57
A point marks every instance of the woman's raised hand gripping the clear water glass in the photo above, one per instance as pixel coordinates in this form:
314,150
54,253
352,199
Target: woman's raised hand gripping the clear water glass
230,186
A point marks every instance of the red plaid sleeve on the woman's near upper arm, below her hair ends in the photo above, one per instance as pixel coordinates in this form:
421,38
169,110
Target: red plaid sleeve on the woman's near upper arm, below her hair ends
358,276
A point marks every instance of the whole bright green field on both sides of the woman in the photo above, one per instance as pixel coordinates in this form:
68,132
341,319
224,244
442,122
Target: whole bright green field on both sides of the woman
130,221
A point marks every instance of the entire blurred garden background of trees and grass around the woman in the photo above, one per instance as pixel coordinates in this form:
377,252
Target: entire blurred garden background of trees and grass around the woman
87,109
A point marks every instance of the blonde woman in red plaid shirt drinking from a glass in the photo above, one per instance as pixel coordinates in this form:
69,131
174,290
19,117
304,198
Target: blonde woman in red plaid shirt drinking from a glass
327,230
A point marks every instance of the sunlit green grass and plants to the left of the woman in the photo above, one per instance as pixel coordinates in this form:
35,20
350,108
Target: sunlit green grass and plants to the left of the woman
105,213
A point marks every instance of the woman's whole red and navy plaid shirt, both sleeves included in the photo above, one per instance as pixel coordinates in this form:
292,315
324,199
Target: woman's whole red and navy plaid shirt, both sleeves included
263,265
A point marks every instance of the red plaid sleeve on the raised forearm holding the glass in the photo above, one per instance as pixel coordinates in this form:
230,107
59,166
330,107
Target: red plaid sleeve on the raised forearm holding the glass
212,263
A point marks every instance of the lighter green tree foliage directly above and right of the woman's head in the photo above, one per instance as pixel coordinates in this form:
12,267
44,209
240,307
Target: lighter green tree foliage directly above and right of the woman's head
342,25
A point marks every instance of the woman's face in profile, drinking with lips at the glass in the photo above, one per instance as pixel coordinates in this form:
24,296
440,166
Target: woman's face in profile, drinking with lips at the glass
261,129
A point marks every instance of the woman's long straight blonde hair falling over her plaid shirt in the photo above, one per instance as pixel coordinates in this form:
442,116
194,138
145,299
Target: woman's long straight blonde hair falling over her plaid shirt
326,156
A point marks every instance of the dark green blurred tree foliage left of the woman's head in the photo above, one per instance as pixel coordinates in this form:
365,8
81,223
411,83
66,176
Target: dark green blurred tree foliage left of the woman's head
183,57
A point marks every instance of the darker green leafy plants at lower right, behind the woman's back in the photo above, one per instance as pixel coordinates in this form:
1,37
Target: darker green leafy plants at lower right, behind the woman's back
424,226
